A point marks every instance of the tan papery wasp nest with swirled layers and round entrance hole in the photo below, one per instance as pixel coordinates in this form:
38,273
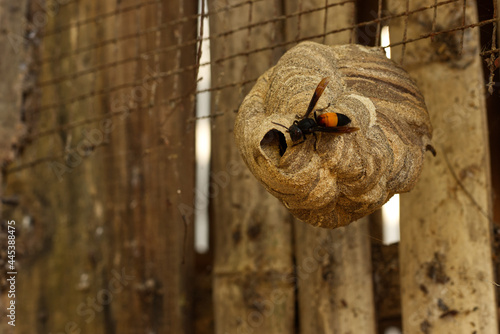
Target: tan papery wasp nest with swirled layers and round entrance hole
332,179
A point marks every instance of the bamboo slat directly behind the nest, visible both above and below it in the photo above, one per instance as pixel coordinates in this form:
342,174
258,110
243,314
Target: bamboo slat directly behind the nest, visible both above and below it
333,267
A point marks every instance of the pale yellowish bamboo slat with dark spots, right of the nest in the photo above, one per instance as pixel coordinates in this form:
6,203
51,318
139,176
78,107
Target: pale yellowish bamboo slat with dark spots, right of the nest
445,249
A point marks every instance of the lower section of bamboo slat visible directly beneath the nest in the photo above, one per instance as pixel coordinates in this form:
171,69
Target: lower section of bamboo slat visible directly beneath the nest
334,278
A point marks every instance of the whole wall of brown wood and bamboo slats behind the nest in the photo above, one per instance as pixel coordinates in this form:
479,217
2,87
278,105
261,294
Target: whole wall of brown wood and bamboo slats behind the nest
98,155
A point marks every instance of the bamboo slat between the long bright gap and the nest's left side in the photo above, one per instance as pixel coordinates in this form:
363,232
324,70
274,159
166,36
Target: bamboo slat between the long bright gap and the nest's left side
253,240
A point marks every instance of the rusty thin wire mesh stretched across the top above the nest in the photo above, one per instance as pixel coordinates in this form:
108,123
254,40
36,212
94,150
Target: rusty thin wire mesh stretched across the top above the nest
249,24
